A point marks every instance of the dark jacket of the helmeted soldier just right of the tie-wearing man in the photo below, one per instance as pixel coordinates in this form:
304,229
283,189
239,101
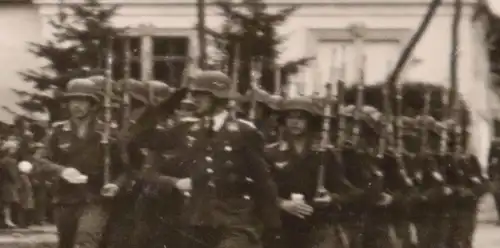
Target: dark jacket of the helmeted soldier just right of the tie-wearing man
298,173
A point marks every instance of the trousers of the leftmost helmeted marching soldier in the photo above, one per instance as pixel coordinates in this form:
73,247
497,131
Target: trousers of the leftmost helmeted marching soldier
81,225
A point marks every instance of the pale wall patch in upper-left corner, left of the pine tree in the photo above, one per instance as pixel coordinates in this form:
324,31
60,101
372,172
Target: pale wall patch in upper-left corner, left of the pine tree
19,24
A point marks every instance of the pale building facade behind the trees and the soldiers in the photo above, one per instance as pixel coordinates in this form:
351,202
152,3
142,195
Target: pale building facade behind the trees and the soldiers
162,35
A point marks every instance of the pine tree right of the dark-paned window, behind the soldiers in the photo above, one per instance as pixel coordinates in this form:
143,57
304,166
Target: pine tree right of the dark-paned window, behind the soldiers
252,28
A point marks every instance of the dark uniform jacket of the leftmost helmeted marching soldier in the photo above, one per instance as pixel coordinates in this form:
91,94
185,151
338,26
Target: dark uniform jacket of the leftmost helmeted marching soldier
64,149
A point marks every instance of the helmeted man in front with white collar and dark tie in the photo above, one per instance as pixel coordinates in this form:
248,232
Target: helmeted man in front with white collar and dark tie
218,167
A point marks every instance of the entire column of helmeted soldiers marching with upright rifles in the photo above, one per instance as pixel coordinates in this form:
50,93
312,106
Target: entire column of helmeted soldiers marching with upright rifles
186,168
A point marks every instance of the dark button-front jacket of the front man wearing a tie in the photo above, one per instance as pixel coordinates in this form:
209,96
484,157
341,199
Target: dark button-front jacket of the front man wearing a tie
231,183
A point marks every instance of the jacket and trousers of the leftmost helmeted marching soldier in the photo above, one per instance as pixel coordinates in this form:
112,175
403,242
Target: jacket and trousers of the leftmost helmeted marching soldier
81,212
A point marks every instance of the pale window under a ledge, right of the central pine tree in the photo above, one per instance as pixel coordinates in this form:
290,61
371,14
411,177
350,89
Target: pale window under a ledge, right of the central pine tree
382,48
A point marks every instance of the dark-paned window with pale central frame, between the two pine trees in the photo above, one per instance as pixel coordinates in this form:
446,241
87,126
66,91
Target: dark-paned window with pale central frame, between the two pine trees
153,54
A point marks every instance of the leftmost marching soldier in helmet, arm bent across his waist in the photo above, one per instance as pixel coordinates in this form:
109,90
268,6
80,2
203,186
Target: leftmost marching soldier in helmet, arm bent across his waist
75,153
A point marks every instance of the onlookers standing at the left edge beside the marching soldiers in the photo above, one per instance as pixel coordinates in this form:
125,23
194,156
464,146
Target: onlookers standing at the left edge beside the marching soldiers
24,194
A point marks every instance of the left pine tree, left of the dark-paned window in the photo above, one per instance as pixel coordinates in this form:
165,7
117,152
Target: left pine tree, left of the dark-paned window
80,41
